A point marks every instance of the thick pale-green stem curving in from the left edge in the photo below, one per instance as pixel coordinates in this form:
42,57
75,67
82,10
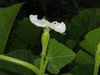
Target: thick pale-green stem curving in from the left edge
20,62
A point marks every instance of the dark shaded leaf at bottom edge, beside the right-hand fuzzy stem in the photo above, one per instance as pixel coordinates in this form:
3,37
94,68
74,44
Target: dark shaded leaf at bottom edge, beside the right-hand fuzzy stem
83,69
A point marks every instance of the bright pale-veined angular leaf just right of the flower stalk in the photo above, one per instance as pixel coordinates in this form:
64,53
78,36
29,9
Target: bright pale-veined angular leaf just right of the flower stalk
58,55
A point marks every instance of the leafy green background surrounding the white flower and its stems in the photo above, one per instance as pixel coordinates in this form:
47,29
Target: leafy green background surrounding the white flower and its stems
21,39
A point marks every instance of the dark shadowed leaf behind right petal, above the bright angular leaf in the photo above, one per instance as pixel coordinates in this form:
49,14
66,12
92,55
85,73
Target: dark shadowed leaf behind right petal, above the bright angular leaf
71,34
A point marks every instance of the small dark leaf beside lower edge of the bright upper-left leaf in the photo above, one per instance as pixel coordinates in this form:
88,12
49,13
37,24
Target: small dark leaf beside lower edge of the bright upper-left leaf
14,43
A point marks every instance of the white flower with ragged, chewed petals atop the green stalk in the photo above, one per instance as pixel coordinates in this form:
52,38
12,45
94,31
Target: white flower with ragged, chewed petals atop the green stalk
58,27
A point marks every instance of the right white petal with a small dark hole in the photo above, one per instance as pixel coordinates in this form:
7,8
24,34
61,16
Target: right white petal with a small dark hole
58,27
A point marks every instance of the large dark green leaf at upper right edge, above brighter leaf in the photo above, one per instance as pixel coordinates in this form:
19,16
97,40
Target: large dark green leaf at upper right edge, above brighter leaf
88,19
